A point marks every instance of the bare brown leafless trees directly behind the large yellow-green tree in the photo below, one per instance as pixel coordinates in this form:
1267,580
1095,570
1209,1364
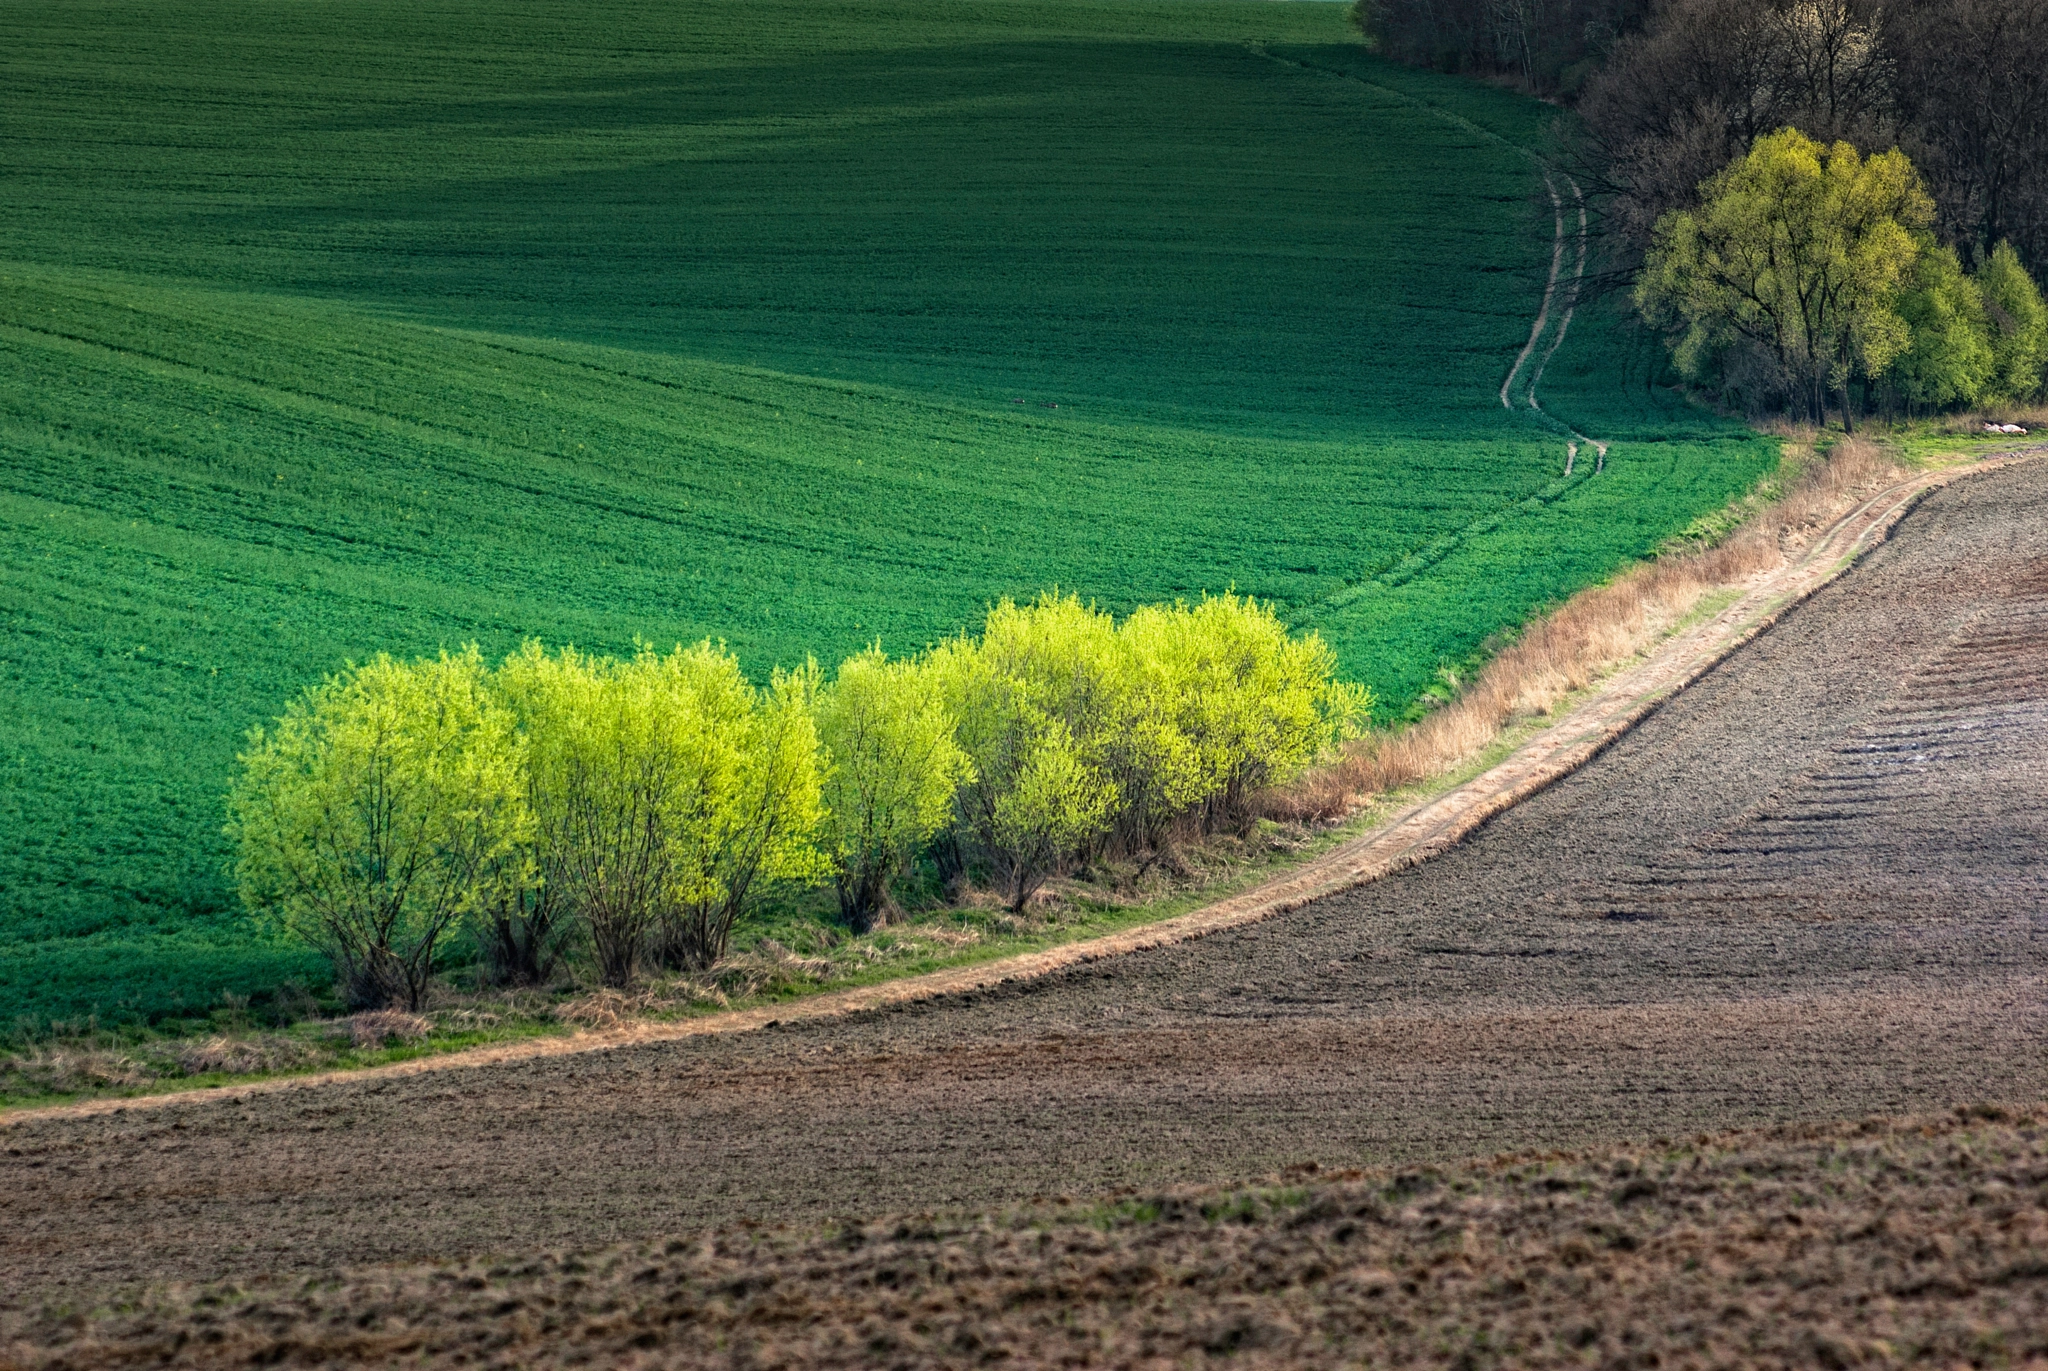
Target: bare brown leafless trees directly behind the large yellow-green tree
1957,85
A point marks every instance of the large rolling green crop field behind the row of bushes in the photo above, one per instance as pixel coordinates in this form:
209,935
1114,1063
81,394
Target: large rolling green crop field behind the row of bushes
333,327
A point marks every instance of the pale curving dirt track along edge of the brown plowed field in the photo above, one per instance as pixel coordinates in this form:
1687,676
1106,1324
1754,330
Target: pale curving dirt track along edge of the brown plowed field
1404,839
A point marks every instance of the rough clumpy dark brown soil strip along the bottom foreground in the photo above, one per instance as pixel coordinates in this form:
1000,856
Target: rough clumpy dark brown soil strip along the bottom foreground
1883,1245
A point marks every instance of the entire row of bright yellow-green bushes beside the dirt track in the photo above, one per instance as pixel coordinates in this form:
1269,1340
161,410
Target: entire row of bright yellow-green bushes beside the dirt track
636,811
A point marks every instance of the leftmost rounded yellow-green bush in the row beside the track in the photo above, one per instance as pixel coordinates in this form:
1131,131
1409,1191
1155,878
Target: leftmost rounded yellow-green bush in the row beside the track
380,813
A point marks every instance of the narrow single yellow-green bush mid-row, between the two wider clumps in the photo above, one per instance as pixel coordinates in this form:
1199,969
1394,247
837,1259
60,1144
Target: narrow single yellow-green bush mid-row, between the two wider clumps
894,767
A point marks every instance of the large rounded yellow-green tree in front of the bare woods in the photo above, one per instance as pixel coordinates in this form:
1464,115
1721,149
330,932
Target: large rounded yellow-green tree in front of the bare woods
1799,251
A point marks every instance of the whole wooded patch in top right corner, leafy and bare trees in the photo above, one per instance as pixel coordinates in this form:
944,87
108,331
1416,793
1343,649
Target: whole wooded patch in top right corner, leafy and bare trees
1822,204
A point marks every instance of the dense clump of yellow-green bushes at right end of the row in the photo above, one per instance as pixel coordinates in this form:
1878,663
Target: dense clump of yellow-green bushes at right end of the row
1080,729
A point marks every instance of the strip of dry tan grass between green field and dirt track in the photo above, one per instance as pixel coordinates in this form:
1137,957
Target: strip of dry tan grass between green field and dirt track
1592,634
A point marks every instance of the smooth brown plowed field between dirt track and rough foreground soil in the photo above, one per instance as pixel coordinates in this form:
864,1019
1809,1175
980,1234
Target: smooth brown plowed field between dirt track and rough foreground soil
1809,888
